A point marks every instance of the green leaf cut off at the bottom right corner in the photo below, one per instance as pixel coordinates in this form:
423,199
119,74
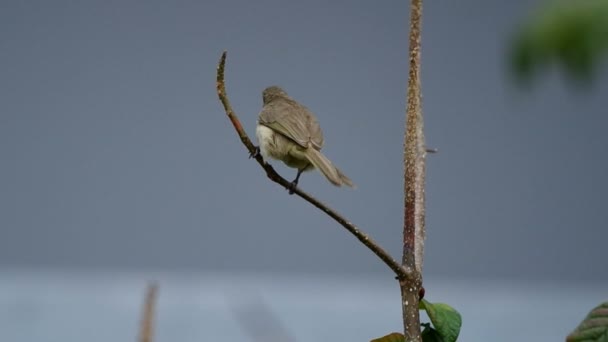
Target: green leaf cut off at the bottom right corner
593,328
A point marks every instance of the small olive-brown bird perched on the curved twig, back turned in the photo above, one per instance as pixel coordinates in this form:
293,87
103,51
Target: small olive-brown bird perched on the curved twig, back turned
288,131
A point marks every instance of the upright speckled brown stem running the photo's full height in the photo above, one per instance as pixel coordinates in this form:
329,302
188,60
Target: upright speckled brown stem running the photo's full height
414,176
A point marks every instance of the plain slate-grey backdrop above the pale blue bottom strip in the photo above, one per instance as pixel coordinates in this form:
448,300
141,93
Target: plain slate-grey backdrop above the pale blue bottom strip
116,153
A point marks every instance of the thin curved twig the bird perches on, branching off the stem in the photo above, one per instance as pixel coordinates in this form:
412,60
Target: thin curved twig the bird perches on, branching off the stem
402,272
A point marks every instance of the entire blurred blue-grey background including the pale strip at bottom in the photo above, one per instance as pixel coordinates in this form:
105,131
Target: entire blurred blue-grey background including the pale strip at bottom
118,166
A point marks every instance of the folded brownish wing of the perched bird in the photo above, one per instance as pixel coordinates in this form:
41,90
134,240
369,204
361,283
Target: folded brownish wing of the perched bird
293,121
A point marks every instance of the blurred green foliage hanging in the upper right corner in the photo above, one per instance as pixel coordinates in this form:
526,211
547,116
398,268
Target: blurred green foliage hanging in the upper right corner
573,35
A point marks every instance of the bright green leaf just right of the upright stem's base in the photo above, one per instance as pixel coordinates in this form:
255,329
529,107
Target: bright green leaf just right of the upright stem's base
445,319
